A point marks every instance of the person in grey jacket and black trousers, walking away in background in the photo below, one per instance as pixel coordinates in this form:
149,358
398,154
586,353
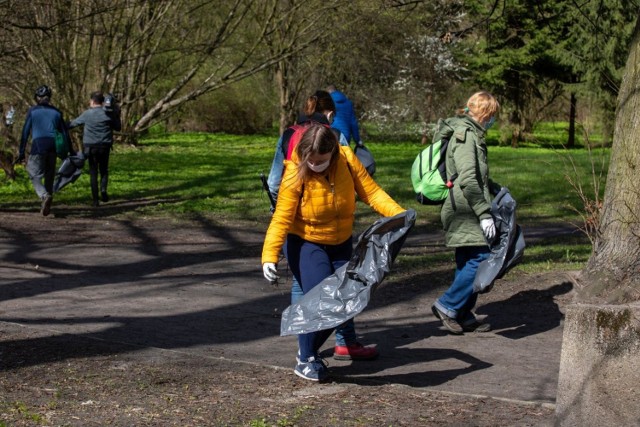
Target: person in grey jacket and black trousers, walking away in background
97,140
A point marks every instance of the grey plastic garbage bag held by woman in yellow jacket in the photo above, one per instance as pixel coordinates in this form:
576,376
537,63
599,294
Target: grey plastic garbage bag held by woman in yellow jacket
346,293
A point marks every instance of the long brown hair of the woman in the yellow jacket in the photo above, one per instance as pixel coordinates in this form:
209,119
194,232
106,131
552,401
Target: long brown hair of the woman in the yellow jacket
317,139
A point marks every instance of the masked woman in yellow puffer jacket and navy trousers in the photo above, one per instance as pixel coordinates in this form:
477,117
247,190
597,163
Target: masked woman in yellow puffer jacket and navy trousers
314,216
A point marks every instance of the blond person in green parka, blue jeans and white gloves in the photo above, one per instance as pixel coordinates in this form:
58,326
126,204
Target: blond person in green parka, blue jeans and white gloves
466,215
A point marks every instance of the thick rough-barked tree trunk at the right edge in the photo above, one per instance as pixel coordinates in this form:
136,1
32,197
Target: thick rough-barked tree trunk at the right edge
613,271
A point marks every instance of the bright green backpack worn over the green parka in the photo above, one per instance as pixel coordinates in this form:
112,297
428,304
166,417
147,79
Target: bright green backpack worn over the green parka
429,174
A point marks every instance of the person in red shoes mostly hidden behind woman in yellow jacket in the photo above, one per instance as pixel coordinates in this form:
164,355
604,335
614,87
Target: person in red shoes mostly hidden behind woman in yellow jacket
319,108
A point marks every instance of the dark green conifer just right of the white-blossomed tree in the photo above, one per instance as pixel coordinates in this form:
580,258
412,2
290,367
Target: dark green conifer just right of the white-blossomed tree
512,56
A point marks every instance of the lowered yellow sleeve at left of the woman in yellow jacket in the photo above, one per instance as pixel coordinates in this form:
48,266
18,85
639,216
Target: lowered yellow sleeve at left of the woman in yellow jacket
284,215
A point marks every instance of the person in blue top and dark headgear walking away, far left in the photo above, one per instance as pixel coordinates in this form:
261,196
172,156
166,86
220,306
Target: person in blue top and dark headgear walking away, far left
43,122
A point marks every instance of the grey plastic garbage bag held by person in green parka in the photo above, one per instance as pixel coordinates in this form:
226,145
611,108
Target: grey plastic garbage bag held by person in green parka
508,247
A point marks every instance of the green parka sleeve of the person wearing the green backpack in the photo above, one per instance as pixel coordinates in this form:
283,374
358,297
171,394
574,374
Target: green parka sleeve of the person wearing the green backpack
466,160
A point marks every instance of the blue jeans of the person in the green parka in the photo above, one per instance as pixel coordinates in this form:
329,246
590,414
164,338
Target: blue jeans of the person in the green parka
458,301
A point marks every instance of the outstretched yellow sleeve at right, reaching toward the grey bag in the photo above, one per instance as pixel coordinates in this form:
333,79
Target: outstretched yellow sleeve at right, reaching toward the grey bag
369,191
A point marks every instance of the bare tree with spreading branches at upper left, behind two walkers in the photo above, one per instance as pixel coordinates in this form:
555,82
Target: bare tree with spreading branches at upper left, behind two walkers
156,56
